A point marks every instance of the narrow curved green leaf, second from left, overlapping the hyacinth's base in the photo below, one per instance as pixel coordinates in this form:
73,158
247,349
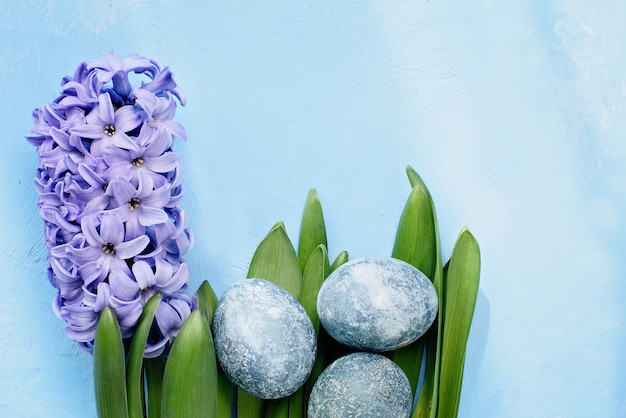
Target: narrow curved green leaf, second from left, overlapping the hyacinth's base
134,375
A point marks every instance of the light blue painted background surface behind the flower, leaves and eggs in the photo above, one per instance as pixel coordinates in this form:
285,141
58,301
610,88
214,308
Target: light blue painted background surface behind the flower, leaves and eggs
514,113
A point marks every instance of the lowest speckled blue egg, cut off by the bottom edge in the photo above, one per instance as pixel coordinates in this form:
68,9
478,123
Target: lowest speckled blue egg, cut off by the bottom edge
361,385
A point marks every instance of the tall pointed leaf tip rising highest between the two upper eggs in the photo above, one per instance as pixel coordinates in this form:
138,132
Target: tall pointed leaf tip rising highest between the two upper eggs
312,229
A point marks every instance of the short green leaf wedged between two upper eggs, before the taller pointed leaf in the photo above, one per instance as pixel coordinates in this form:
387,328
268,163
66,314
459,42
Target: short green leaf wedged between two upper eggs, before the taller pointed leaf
315,272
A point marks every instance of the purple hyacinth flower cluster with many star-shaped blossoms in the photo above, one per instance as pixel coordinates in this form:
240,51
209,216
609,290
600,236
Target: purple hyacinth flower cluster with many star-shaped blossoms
109,186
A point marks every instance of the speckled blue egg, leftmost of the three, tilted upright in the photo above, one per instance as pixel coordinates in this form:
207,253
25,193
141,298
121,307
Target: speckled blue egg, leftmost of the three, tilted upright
264,339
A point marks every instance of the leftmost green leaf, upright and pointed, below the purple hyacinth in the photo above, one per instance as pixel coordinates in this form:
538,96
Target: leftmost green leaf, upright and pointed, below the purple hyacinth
109,368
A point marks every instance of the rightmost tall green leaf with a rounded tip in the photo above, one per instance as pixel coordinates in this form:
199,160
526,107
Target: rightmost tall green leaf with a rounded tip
461,289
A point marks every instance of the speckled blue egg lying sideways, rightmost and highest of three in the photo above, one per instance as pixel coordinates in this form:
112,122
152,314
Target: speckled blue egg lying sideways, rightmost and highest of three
377,304
